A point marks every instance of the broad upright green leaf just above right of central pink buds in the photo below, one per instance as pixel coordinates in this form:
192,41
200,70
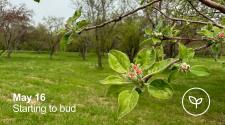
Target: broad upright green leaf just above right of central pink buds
146,58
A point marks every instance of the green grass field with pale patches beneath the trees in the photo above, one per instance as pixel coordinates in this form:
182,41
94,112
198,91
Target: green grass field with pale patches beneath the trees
68,80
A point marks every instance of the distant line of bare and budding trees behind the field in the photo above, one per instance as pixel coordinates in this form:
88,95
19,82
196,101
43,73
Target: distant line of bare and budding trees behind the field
18,33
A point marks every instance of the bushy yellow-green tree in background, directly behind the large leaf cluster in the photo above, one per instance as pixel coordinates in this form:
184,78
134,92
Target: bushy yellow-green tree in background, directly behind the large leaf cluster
129,35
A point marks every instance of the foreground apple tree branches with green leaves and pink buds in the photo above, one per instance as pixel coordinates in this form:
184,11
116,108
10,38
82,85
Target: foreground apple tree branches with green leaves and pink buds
150,61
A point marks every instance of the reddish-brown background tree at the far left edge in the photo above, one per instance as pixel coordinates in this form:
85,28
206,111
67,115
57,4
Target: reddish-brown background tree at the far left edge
14,23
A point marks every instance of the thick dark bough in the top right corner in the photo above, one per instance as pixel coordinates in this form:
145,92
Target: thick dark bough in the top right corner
214,5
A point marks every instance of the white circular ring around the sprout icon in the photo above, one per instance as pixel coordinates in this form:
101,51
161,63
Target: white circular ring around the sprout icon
195,88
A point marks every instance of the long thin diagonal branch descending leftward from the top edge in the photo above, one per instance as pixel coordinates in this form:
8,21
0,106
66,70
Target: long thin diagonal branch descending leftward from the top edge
118,18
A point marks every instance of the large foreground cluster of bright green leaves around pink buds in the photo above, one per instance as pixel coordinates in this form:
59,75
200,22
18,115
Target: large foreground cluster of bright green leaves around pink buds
137,76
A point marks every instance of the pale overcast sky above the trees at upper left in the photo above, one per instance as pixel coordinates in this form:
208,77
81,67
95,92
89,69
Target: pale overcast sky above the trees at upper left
58,8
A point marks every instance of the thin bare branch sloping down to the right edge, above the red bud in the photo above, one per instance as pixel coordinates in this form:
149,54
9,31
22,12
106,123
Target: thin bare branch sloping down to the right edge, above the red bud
185,20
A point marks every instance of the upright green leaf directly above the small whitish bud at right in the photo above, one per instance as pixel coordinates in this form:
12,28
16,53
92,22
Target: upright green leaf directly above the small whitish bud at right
185,53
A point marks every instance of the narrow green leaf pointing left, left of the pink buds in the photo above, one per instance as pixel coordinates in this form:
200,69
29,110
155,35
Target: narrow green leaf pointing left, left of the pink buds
116,80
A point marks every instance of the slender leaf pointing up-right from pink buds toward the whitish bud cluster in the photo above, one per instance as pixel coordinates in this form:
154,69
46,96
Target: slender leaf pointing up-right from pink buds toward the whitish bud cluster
160,66
